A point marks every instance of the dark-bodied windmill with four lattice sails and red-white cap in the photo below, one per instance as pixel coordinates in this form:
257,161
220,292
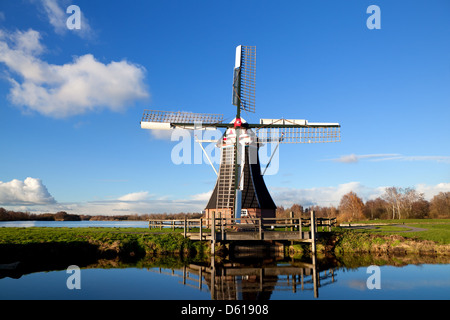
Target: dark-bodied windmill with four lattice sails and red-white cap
240,190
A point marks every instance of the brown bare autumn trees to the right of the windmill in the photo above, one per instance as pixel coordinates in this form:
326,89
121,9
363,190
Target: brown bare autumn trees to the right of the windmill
394,203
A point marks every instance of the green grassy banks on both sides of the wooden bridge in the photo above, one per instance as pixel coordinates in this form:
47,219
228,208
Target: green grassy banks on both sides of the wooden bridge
424,236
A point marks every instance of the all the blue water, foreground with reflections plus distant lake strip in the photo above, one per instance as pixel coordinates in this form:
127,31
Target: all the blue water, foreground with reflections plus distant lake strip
274,278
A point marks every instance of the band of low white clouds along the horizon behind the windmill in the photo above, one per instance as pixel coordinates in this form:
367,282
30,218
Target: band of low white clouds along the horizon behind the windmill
32,196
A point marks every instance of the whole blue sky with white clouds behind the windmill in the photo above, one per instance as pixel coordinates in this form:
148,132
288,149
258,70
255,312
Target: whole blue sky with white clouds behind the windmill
71,99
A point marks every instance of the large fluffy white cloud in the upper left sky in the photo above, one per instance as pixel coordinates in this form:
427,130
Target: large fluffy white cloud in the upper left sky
60,91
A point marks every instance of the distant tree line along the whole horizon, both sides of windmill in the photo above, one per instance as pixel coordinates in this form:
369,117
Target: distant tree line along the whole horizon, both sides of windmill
395,203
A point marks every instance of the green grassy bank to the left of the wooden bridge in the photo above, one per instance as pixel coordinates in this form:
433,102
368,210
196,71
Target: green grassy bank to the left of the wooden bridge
17,244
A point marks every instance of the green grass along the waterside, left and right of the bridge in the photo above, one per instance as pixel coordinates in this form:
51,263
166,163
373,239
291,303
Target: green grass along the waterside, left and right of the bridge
143,241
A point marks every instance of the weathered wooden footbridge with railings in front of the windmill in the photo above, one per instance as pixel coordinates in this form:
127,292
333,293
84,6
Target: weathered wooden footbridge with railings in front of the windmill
218,229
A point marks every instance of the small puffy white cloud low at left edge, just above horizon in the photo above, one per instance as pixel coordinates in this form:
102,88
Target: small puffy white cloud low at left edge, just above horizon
28,192
